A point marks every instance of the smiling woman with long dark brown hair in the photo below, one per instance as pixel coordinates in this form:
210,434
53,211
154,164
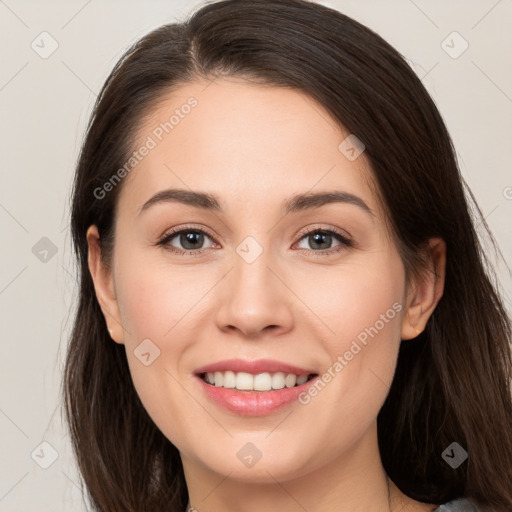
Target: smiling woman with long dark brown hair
221,359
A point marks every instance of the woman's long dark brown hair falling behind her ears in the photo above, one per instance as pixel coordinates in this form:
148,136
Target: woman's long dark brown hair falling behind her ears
452,383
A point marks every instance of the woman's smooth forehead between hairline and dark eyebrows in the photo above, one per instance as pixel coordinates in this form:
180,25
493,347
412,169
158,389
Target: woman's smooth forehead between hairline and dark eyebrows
241,139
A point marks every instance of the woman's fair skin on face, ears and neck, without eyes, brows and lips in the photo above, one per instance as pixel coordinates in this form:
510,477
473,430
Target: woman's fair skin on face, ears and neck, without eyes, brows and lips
255,146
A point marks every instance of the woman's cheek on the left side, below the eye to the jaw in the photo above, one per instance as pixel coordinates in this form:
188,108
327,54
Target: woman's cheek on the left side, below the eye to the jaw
159,303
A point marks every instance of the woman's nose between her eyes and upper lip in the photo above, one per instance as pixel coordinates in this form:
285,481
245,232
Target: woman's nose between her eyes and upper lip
256,299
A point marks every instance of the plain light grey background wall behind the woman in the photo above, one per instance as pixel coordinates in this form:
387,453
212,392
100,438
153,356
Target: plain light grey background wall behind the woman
45,104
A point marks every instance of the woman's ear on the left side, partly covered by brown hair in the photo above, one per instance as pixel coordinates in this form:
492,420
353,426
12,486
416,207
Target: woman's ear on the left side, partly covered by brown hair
104,285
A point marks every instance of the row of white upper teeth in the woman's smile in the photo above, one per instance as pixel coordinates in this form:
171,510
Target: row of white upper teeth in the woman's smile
261,382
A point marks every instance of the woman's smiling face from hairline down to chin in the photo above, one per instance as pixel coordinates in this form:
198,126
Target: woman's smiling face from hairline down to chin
260,277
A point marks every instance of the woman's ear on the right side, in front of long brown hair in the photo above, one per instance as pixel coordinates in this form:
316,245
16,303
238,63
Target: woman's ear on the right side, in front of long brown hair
425,292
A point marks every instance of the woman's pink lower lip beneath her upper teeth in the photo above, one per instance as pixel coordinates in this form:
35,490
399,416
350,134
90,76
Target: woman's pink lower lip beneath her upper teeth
254,403
